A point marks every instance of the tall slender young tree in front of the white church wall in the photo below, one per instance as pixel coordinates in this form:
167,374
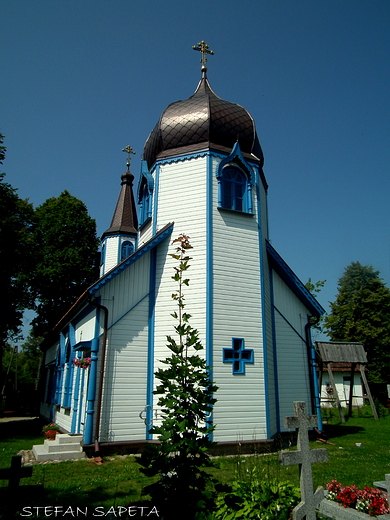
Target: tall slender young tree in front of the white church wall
184,489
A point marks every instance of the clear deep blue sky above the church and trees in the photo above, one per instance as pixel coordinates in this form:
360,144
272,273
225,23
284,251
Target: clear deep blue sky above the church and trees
81,79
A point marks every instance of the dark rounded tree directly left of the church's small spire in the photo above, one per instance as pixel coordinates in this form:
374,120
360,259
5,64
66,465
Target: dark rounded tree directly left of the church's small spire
66,257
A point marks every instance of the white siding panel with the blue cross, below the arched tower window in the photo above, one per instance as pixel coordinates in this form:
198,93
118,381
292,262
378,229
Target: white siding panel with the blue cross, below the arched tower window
239,413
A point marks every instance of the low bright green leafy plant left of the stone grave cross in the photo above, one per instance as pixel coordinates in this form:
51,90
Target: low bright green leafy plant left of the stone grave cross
256,497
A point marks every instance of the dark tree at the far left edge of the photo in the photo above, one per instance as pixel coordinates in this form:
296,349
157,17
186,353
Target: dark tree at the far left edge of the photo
16,255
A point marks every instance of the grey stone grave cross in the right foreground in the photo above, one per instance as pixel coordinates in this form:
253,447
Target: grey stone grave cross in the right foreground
305,457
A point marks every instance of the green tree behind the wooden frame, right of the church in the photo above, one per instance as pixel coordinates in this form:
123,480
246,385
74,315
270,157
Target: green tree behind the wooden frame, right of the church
361,313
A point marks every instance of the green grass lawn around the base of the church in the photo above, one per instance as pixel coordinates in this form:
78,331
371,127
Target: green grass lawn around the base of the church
118,481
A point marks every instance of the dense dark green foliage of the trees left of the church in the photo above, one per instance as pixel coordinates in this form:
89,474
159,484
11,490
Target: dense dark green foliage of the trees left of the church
47,257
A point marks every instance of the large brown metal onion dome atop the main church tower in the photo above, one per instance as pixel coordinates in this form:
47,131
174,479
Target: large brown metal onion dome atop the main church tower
204,120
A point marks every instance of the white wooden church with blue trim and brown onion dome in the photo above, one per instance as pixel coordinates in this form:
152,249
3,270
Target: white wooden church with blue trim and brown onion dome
202,175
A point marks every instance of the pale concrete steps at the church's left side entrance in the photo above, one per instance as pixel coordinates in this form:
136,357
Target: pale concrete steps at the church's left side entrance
64,447
